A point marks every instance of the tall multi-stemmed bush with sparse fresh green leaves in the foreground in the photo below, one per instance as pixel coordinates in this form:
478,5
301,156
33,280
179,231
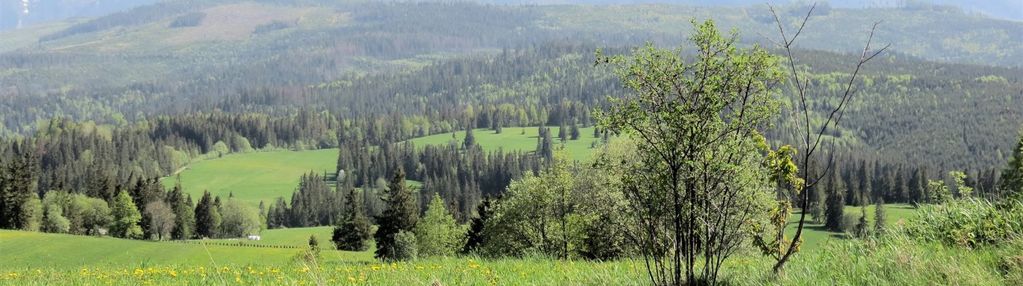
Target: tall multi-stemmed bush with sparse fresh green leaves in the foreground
698,178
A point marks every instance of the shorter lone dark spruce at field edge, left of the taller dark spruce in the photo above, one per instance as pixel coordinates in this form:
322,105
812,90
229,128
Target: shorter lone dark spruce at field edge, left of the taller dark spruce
353,232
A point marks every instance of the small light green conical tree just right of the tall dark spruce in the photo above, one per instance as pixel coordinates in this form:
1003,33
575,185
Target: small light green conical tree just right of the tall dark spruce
437,233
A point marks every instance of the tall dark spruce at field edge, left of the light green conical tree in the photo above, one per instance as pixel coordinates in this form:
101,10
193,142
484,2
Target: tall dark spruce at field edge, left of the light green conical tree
401,216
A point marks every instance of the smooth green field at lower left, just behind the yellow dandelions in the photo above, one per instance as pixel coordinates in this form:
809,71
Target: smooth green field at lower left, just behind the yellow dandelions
33,250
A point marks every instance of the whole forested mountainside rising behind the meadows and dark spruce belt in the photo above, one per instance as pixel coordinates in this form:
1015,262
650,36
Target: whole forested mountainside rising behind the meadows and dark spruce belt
438,64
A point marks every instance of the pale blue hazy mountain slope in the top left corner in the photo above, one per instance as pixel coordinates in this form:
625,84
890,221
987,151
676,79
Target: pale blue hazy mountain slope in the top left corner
27,13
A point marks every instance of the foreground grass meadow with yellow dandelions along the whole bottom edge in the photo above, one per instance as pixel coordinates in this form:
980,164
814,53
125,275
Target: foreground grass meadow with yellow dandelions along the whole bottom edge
896,261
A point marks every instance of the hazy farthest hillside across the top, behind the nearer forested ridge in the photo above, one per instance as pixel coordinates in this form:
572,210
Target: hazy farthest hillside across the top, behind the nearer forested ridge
188,56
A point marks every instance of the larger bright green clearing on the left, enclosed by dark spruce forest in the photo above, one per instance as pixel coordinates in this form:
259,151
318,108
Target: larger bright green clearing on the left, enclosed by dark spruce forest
256,176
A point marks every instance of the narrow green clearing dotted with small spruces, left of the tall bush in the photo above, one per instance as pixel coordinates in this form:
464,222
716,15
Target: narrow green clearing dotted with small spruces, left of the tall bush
516,139
